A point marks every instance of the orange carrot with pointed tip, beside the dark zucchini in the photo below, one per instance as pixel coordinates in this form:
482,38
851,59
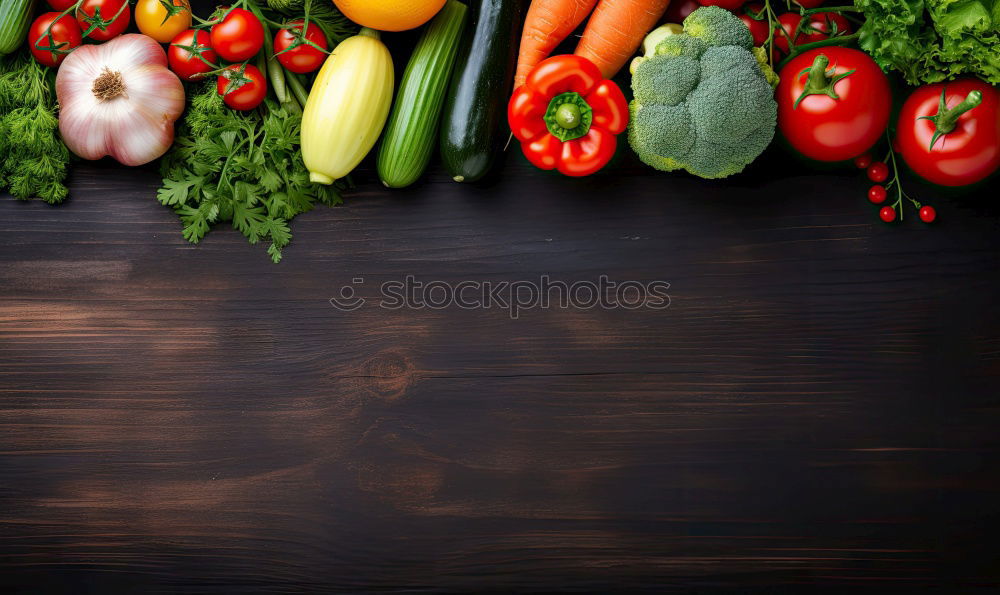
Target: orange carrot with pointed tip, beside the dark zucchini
547,24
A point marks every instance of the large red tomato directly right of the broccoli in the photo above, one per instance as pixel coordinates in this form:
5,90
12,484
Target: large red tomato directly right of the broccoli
827,112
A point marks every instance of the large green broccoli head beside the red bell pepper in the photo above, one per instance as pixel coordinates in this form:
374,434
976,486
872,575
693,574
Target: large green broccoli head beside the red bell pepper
703,101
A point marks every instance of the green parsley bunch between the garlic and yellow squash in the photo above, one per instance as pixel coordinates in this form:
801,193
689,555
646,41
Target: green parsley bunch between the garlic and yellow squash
242,167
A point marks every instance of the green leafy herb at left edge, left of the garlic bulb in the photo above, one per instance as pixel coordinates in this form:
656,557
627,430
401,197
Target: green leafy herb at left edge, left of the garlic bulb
33,159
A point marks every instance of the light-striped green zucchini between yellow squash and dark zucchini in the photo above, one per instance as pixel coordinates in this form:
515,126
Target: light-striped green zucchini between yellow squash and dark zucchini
409,137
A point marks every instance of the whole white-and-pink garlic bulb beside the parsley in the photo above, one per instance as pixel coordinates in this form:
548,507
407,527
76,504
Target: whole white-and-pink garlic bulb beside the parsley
119,99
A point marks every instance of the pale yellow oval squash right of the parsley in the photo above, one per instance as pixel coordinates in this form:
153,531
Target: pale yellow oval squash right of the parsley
347,107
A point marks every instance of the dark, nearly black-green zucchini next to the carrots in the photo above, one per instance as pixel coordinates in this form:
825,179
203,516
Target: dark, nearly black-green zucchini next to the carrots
474,125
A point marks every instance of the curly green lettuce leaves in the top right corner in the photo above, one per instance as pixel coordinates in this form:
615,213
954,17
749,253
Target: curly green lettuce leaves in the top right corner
933,40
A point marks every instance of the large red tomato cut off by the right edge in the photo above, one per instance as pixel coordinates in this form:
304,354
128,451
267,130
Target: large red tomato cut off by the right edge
966,148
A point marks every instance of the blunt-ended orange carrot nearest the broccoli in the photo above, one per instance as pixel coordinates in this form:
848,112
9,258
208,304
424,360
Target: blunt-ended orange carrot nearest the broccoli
615,31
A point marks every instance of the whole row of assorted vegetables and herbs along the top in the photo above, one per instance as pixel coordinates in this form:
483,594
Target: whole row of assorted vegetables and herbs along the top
263,108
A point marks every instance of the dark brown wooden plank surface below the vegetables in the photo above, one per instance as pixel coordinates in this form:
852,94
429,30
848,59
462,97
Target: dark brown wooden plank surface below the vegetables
818,406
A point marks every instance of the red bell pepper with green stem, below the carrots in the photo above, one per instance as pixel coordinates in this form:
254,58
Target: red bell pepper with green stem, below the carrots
567,116
